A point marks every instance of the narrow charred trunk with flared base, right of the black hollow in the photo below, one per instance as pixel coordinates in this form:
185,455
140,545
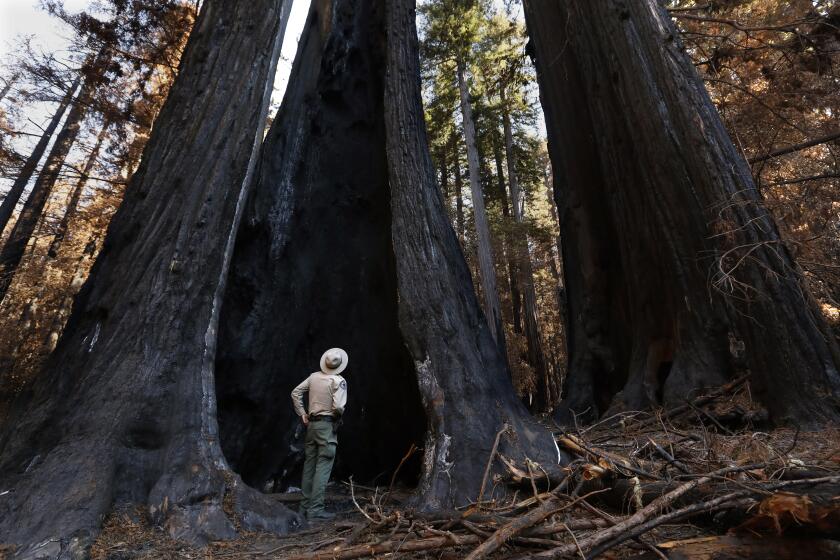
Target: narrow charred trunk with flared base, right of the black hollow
463,378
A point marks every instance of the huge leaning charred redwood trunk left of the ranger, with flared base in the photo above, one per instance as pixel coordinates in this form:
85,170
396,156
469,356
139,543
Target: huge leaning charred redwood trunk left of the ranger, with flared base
124,412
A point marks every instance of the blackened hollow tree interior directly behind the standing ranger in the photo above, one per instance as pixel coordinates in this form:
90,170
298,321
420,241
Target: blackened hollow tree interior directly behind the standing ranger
313,267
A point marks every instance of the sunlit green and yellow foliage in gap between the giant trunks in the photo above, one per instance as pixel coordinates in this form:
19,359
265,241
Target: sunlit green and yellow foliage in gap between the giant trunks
502,81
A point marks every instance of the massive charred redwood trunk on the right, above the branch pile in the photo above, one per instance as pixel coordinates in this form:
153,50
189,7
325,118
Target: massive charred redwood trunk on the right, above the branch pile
668,252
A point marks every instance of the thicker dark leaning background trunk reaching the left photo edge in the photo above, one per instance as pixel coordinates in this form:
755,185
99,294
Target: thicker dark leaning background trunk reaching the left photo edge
33,208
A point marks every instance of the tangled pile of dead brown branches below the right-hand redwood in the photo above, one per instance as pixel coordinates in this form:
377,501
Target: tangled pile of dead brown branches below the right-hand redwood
632,474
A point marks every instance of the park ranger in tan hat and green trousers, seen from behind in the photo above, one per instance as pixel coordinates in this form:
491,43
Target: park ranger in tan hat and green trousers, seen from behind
327,397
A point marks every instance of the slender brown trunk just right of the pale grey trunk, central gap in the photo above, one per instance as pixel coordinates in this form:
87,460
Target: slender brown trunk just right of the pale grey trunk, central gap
546,384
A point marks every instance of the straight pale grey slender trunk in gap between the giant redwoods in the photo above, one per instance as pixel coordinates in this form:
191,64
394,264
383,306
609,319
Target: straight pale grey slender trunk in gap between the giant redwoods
492,308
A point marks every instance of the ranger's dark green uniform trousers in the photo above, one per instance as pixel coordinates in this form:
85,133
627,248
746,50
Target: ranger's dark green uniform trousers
321,442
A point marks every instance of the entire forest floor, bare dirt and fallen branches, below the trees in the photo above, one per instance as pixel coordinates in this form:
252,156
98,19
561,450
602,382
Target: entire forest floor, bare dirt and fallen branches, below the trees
699,481
